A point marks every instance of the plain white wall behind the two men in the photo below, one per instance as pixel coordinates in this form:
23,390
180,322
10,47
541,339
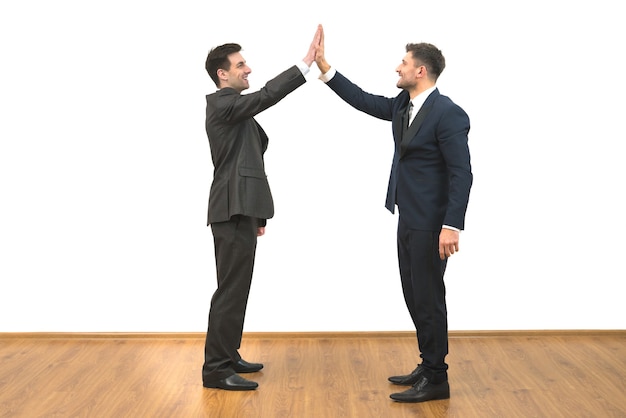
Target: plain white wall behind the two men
105,165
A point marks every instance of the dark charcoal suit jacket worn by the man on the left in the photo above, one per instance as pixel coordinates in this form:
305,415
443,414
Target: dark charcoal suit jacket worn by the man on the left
238,142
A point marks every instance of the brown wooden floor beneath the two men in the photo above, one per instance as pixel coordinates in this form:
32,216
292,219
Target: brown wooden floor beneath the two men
518,374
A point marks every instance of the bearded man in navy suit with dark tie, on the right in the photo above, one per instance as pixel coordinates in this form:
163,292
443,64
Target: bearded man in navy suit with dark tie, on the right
430,184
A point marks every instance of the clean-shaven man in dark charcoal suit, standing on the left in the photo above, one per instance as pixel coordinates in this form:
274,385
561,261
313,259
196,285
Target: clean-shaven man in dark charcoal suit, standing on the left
240,201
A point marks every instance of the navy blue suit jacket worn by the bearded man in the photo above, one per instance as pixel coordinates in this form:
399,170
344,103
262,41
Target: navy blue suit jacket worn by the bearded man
431,174
